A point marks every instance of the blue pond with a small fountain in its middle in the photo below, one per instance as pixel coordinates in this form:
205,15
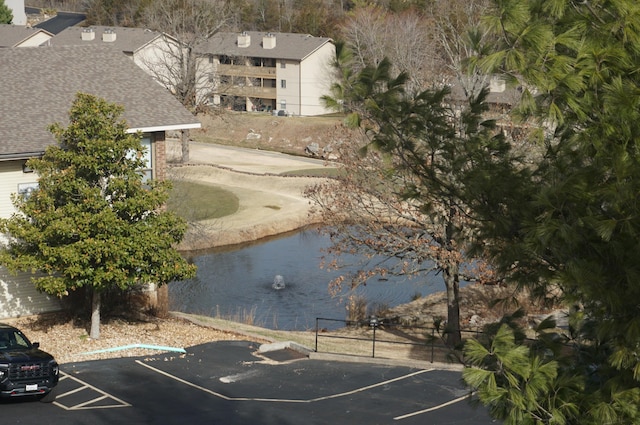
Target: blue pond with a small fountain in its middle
238,284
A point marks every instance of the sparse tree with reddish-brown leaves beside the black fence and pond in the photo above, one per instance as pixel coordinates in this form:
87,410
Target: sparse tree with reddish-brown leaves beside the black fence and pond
368,215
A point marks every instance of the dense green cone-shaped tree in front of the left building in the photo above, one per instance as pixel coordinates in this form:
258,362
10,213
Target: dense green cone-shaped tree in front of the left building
93,222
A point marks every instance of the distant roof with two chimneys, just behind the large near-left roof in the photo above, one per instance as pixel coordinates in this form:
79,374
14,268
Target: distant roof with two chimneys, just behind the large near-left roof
127,40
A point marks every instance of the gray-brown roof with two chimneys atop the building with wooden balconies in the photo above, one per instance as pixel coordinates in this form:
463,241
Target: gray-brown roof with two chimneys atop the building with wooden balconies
287,45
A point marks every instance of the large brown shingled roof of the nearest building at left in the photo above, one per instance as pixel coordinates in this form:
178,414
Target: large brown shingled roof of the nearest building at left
39,84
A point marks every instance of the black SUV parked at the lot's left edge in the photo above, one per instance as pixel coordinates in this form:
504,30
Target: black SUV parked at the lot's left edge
25,370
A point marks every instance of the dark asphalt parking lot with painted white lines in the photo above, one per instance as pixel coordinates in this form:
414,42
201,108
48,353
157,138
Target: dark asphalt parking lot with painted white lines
226,383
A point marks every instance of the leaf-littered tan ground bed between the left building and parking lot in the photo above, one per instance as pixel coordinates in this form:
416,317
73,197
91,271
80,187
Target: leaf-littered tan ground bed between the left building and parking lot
68,340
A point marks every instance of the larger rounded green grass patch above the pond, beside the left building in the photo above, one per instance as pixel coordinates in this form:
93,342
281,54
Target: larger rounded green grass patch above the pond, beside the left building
195,201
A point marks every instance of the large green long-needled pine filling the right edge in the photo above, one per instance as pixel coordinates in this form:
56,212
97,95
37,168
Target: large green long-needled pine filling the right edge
577,232
